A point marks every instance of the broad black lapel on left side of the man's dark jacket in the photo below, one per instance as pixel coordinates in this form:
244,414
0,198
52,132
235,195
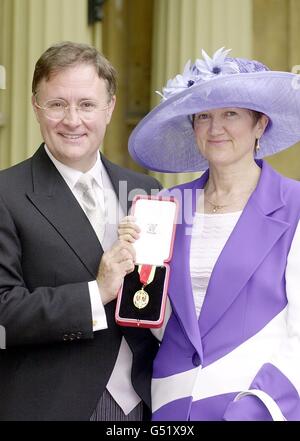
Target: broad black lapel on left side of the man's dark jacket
53,198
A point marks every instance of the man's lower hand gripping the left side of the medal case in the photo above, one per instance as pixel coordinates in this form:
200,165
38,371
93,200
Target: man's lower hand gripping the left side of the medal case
114,265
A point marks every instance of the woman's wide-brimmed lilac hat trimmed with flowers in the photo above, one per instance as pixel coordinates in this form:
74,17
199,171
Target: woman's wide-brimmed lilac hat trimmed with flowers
164,140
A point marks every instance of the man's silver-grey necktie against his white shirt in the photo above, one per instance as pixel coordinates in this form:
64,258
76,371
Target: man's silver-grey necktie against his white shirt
91,205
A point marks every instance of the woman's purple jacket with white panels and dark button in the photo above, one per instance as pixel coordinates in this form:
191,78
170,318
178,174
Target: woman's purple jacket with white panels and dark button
241,359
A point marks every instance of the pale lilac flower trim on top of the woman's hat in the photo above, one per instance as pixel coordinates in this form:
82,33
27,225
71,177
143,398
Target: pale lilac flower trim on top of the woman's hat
207,69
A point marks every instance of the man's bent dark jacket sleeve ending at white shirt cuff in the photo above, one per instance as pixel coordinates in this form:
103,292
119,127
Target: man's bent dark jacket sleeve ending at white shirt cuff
45,314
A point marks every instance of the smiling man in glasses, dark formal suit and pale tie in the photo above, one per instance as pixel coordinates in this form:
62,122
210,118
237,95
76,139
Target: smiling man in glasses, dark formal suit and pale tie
65,357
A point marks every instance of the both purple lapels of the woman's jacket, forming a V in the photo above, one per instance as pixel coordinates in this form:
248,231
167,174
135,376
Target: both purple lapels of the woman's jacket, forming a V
255,234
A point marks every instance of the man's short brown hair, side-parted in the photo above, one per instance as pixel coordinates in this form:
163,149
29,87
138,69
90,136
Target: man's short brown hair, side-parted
66,54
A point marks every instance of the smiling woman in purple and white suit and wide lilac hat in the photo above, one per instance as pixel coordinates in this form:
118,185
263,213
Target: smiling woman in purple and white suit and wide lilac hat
231,343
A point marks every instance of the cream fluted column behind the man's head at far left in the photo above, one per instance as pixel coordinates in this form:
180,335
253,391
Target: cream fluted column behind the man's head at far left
27,28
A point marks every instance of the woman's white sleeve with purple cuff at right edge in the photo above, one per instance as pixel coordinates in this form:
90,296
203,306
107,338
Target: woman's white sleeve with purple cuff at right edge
274,392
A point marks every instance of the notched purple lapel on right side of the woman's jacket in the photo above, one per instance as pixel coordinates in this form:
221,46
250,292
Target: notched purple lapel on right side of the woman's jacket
251,240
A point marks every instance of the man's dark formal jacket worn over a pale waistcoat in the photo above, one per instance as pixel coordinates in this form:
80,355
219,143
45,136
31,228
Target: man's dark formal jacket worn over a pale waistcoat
55,367
